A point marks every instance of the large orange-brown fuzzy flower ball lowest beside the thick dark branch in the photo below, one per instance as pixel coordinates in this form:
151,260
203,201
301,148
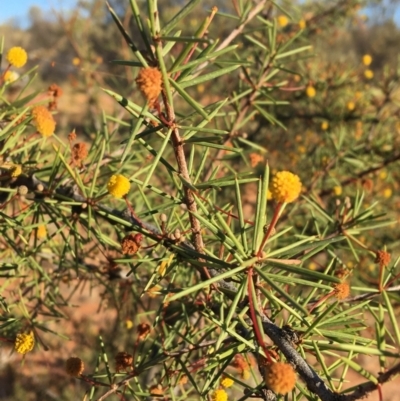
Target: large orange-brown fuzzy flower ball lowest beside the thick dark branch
280,377
